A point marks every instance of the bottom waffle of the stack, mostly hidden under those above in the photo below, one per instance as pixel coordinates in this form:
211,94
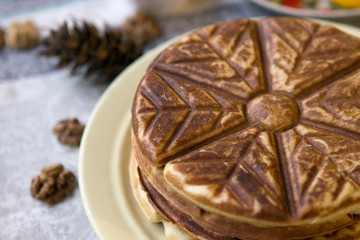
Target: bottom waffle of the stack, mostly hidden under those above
180,226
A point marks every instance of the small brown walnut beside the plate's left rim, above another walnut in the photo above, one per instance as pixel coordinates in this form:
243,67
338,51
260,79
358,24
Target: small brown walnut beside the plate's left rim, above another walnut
69,131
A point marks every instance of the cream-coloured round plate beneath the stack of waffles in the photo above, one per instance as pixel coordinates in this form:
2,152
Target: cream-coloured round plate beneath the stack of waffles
104,159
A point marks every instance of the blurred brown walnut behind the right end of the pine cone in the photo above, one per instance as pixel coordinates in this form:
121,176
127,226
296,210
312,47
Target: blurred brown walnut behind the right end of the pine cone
141,28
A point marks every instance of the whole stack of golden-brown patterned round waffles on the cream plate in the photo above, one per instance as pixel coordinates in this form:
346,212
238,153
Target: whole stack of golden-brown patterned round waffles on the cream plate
251,130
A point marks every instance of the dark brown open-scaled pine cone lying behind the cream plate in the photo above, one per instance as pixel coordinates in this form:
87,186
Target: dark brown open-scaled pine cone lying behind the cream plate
83,46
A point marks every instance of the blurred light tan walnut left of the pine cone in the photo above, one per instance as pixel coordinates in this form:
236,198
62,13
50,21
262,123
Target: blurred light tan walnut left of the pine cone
22,35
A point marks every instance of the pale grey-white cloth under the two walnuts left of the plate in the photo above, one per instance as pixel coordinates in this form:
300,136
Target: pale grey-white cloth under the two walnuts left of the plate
28,110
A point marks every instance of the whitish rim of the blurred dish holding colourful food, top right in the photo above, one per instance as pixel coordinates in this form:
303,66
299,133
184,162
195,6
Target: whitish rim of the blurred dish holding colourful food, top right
343,13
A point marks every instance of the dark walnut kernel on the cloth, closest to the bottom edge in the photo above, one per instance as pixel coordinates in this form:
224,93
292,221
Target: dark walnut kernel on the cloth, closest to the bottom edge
53,184
